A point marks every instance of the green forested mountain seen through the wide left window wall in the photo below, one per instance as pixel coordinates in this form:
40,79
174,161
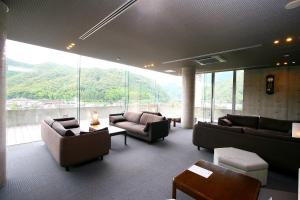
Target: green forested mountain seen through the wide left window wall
59,82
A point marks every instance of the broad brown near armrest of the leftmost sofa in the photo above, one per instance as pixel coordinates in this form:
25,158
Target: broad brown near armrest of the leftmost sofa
84,147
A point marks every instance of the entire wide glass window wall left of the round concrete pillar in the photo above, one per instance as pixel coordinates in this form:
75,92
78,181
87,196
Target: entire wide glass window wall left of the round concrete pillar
44,82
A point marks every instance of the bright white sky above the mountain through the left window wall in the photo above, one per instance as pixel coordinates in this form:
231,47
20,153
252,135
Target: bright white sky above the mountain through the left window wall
33,54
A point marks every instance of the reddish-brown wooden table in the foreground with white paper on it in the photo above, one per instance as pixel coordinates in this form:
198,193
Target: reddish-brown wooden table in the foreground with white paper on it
222,184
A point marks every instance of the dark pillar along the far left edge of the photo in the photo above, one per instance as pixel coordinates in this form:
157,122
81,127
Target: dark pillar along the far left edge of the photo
3,14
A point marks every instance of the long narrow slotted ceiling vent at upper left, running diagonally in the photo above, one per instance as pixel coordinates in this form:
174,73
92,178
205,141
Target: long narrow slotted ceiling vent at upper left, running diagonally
108,19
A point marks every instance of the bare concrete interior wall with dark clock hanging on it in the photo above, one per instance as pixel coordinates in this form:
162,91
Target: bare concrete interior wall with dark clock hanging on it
283,104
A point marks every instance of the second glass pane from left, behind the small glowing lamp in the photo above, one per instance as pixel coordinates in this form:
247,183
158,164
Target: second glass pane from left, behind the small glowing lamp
102,88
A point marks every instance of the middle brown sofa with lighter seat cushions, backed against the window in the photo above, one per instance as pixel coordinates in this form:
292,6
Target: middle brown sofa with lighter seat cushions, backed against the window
146,126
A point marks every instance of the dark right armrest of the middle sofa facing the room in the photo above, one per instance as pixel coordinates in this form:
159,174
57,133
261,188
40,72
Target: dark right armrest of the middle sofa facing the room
158,130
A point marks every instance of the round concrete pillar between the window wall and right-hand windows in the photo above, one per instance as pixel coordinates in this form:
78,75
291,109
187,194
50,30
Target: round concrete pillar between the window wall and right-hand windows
188,97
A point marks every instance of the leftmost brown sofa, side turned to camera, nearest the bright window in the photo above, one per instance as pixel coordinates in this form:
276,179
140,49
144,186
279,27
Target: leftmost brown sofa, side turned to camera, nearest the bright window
69,145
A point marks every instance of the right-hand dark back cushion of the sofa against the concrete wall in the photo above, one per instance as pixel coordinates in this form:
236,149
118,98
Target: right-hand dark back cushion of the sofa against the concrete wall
275,124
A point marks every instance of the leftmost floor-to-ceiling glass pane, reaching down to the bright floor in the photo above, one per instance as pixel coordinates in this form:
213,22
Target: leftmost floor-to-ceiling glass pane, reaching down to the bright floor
41,82
